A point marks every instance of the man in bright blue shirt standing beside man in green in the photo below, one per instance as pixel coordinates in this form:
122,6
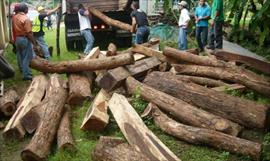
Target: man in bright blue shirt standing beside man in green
202,14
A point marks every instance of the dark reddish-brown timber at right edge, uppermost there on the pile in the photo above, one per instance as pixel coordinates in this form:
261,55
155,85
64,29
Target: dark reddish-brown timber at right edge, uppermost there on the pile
250,61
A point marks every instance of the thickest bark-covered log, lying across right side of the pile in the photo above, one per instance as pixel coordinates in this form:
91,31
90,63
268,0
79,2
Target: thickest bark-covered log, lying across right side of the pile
243,111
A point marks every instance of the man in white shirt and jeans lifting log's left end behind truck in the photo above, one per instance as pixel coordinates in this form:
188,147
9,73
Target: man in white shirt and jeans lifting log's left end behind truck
85,28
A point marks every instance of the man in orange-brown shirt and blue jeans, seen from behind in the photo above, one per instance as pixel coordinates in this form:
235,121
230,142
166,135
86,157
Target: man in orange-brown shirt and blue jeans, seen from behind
24,40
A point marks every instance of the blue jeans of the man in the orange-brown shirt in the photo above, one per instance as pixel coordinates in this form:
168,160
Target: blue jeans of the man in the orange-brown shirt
26,53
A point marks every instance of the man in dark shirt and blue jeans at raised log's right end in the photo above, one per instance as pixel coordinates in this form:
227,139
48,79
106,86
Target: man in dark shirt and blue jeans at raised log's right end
139,24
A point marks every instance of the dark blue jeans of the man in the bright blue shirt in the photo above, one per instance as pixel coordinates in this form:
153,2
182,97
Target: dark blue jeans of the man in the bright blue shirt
201,36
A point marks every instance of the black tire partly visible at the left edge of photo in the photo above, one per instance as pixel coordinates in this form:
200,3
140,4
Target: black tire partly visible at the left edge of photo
6,70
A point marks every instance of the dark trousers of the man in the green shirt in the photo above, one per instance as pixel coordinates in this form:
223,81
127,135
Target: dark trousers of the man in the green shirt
215,35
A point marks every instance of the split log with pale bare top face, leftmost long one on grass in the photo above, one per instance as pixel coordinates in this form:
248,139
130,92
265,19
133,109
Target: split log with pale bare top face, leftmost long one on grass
32,98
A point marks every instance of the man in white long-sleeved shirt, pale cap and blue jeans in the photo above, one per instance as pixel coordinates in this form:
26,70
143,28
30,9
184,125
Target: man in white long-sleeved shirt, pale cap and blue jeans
183,25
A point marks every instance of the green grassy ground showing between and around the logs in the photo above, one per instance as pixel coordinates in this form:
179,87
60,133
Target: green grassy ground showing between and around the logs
85,141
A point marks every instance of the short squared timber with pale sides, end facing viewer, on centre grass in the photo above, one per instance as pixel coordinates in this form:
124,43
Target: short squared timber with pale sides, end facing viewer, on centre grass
97,117
